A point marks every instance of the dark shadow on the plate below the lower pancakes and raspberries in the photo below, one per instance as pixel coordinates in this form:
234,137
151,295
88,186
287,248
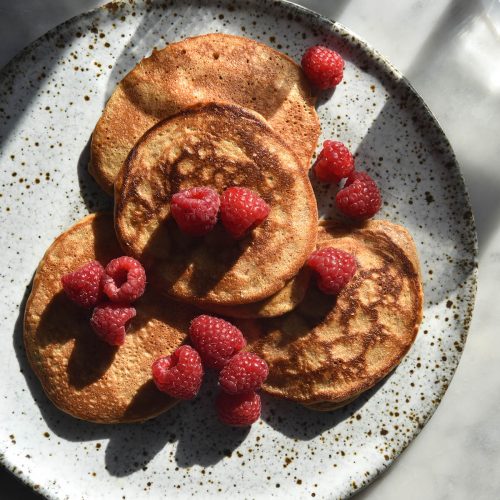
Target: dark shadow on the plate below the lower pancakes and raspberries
132,446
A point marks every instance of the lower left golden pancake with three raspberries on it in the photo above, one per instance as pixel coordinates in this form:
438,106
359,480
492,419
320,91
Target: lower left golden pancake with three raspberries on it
82,375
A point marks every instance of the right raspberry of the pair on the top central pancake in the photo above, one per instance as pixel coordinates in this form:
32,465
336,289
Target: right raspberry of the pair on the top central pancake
241,210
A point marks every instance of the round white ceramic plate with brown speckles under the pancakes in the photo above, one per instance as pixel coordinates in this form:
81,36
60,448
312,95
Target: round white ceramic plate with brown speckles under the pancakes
51,96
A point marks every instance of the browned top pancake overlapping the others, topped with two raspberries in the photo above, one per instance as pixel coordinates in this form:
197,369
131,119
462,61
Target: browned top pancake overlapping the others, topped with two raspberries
220,146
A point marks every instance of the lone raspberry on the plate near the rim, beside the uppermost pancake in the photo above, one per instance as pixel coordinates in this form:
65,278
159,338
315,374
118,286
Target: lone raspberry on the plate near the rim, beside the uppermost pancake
323,67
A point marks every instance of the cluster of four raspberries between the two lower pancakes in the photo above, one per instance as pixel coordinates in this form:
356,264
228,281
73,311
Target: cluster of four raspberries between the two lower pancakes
216,344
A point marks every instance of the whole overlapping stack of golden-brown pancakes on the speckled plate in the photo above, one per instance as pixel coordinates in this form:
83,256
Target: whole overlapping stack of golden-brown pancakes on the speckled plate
220,111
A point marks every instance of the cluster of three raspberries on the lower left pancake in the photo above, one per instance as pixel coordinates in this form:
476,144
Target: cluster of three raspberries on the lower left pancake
110,291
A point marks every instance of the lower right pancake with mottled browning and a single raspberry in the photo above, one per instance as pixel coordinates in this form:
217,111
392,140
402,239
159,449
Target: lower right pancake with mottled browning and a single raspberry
330,350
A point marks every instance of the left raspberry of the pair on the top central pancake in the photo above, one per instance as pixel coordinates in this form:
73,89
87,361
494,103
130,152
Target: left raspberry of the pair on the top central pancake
195,210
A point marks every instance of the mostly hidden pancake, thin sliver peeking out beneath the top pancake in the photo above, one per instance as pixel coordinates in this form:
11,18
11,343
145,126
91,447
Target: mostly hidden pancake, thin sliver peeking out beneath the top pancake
287,299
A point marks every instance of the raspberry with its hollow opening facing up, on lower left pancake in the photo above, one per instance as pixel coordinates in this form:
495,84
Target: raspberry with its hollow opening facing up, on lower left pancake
124,280
